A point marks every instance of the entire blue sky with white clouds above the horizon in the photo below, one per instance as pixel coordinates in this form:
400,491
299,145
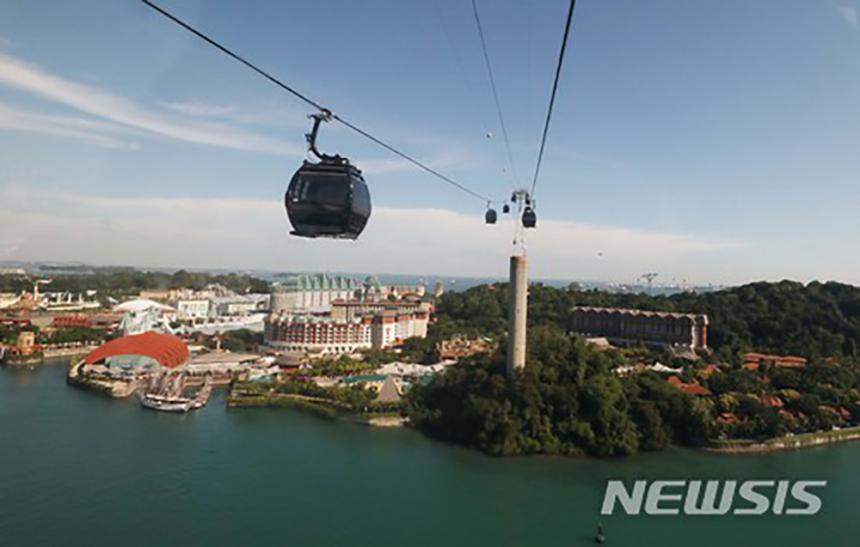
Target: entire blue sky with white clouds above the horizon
708,141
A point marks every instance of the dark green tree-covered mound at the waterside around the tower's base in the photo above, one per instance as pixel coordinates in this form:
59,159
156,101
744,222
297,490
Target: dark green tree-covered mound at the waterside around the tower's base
567,401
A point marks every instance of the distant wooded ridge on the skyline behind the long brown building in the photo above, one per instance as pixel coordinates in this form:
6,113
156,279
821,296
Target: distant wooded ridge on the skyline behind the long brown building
814,320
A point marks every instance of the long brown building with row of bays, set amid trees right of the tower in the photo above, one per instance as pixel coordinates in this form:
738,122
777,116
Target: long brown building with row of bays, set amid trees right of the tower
628,326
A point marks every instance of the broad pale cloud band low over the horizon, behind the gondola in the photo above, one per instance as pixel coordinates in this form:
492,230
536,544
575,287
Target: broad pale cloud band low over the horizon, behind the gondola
247,234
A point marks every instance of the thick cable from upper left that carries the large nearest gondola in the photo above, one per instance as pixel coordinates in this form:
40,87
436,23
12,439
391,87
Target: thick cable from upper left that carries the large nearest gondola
313,103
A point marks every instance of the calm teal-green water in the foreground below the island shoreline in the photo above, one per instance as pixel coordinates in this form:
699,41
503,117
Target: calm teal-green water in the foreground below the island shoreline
80,469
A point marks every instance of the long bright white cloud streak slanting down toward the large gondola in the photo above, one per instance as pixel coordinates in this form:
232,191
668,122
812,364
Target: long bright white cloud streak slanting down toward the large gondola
97,102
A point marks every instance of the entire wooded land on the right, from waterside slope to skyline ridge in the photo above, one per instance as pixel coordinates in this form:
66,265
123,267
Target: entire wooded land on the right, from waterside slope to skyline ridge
571,400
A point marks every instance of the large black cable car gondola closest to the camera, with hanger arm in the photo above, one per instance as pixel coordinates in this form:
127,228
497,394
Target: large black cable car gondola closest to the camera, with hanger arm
327,199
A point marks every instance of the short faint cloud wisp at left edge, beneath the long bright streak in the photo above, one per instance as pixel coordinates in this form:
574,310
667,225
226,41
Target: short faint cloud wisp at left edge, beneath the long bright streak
88,131
